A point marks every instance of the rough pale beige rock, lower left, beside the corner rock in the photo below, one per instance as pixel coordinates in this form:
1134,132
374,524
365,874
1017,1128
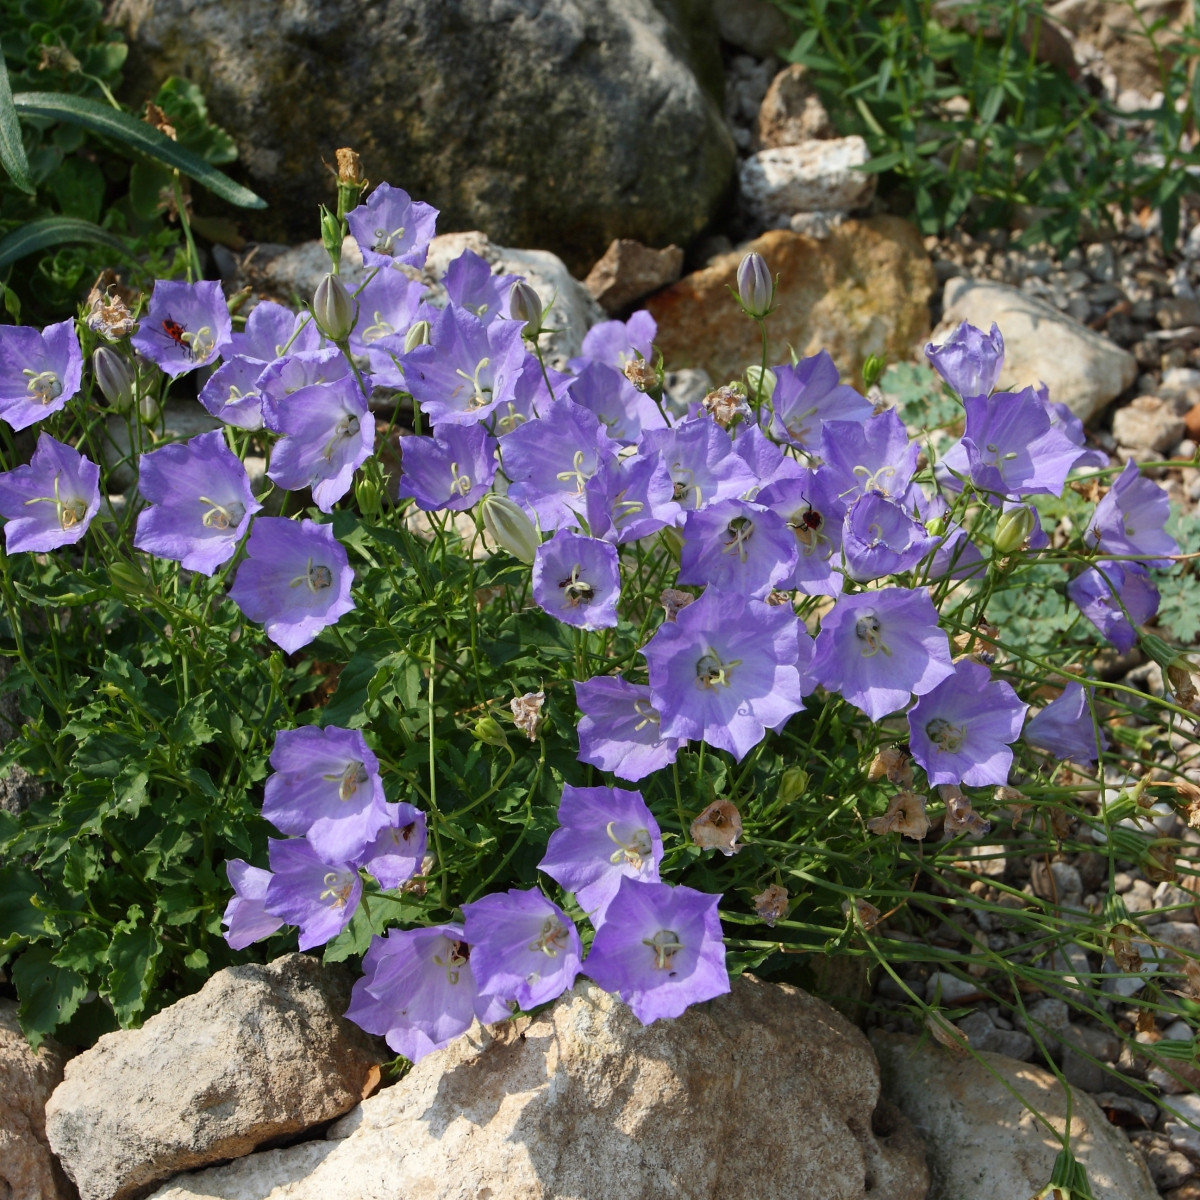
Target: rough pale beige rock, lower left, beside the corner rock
260,1053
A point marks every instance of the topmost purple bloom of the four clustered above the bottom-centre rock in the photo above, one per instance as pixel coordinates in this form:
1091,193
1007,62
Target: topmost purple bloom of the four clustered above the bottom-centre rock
604,835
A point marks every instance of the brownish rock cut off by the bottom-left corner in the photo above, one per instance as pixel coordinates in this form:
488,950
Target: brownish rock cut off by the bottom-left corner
28,1169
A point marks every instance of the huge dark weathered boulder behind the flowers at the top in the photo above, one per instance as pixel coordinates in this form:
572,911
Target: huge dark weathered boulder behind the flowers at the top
561,124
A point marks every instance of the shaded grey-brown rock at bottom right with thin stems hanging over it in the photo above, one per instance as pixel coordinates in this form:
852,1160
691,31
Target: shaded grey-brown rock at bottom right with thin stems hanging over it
982,1144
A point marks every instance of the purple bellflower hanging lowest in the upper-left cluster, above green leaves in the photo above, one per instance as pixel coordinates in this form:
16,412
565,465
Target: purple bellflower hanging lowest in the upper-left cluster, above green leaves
296,580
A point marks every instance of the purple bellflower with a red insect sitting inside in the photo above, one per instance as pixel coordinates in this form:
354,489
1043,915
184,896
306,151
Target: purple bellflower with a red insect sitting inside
188,326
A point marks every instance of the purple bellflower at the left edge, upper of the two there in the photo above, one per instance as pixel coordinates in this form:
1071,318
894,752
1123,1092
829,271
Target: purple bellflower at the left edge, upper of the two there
40,371
